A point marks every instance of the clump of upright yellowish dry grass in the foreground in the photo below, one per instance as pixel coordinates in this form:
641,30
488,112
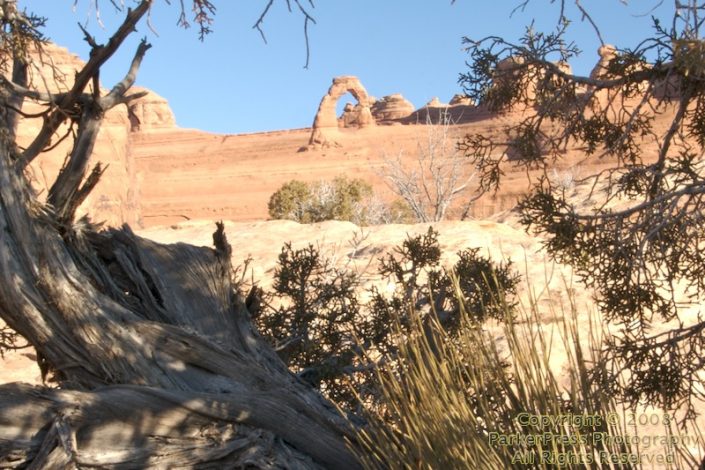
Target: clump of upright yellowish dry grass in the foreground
475,402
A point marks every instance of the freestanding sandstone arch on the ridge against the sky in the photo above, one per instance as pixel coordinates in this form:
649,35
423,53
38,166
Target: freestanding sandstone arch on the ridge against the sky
325,124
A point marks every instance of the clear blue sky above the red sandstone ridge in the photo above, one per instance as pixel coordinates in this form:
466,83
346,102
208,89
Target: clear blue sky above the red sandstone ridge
234,83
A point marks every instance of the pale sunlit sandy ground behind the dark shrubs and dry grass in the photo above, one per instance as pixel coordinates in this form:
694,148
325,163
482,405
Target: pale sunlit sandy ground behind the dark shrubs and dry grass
549,285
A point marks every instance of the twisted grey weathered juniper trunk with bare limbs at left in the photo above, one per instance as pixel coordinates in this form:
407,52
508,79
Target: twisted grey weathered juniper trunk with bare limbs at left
154,355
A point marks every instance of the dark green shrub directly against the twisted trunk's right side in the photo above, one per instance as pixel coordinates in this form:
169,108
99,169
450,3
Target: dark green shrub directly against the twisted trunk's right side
314,323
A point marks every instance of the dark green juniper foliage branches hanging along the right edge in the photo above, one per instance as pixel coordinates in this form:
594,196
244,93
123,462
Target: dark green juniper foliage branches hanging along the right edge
640,247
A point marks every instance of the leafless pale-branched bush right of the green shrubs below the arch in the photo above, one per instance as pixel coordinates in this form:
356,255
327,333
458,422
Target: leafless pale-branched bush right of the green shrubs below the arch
438,175
